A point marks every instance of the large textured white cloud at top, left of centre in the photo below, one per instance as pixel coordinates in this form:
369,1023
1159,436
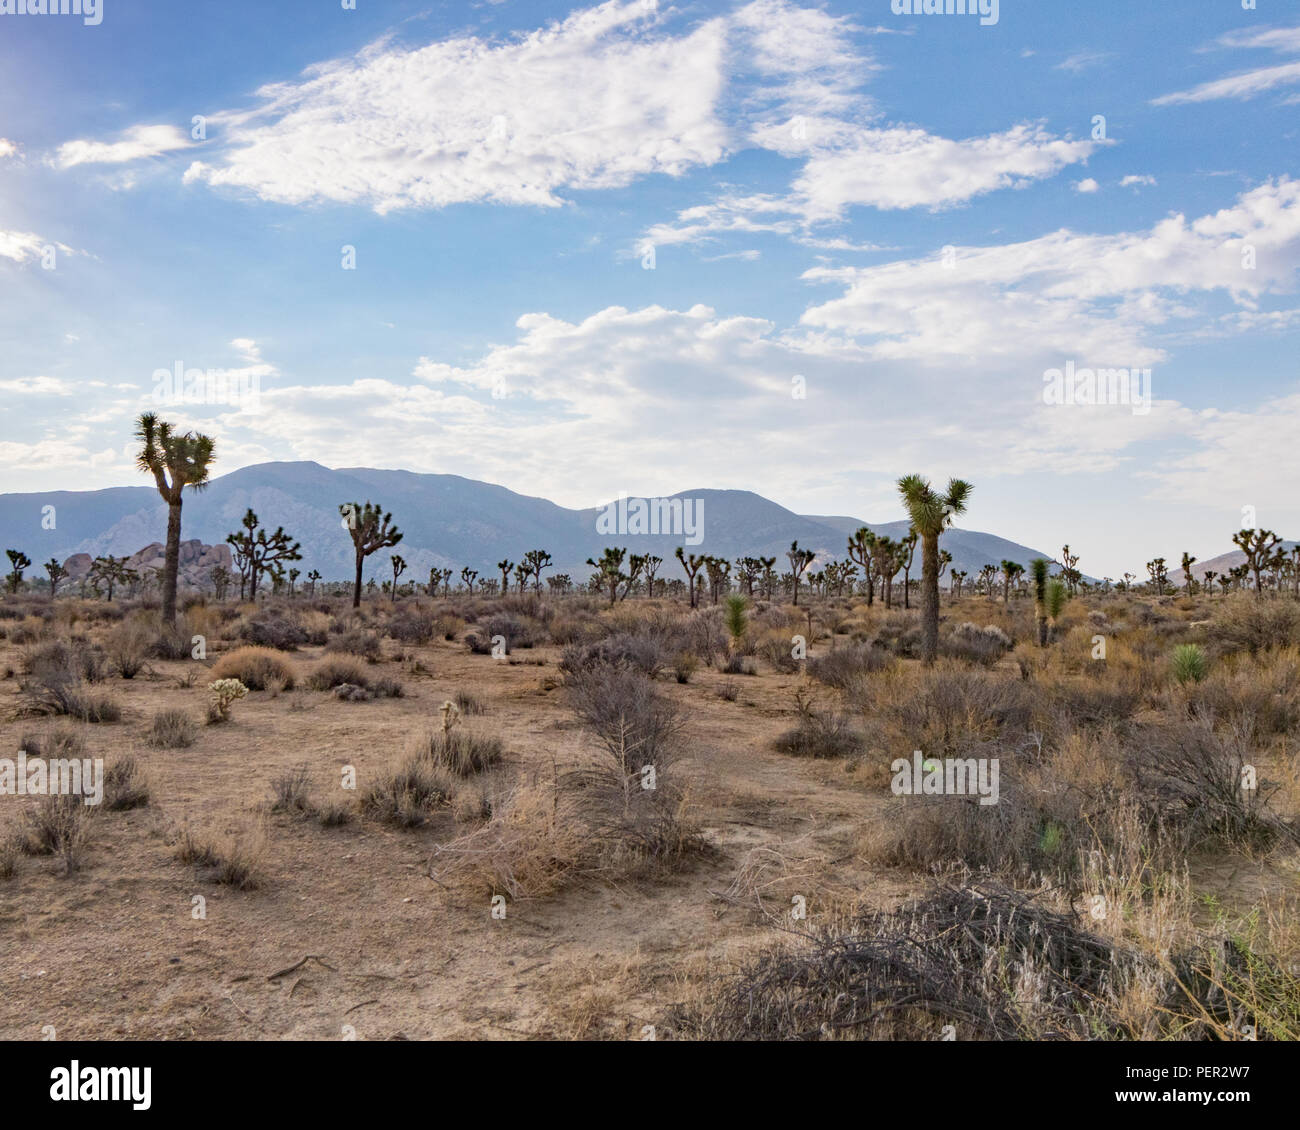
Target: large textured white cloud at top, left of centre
592,102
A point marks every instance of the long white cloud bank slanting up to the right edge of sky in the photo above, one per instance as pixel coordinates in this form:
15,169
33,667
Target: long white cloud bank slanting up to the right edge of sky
1098,298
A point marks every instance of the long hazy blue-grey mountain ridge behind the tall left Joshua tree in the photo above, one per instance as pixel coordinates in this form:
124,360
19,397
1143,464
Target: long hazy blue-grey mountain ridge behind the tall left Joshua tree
448,522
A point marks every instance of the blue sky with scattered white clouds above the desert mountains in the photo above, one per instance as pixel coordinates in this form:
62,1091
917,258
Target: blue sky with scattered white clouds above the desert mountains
648,248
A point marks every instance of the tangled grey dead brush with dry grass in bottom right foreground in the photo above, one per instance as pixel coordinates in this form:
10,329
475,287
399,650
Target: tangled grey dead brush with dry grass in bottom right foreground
993,963
